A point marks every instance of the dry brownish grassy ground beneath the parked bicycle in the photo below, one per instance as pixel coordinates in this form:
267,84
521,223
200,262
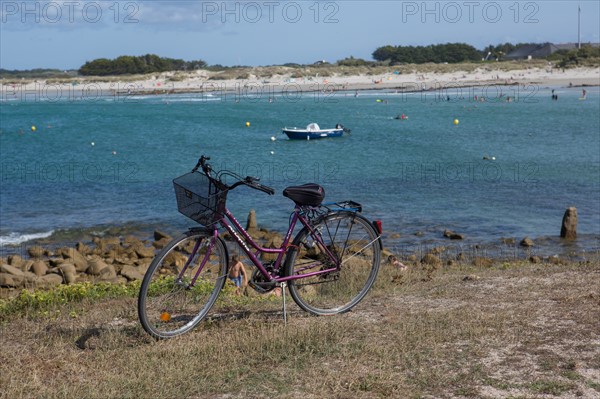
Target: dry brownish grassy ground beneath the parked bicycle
513,330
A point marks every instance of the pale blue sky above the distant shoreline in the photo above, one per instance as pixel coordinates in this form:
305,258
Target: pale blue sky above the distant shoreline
64,34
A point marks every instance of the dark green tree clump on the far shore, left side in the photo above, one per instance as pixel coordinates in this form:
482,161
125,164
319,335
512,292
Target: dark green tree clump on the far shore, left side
128,65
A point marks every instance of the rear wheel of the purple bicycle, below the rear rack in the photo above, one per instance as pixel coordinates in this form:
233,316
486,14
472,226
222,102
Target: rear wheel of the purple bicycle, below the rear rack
345,242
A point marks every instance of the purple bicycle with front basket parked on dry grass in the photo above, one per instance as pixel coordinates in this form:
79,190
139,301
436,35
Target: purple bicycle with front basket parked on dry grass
328,267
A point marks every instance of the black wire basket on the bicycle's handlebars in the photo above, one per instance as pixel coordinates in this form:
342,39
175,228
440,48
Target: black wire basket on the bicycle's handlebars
199,198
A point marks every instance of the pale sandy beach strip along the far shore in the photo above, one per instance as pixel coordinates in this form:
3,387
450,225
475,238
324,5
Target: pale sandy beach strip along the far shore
291,81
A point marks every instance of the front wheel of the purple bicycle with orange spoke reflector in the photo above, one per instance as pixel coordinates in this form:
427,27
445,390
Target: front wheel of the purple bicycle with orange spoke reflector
182,284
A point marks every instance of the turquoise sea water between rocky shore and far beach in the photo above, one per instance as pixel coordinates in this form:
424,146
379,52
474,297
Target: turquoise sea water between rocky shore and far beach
95,163
